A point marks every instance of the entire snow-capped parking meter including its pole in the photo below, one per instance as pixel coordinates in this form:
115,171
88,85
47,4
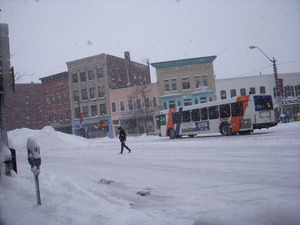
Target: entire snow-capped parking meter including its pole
34,159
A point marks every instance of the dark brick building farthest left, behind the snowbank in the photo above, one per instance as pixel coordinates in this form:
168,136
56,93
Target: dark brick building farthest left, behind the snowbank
24,108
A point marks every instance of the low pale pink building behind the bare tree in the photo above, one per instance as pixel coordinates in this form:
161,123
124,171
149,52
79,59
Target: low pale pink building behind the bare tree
127,113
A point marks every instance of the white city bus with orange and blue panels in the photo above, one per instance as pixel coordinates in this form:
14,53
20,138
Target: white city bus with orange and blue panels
238,115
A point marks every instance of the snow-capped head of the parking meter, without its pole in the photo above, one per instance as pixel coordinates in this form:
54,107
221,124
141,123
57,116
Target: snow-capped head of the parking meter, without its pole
34,156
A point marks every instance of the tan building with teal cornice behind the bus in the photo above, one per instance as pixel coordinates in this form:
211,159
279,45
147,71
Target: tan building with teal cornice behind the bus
185,82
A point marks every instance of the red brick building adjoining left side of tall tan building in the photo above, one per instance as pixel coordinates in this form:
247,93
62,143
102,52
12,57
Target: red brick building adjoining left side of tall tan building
56,102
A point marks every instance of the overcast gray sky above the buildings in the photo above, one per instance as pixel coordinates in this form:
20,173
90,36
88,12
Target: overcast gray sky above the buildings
45,34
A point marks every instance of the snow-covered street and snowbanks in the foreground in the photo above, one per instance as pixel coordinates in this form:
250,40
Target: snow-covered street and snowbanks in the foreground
251,179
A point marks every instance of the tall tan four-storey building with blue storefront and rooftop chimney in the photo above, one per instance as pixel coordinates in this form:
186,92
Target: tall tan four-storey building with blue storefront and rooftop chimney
90,80
